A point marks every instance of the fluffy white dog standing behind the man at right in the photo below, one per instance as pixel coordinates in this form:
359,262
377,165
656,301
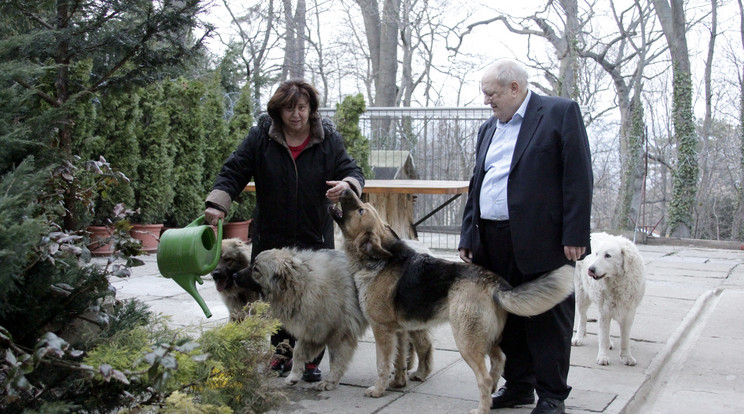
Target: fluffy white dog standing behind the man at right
613,277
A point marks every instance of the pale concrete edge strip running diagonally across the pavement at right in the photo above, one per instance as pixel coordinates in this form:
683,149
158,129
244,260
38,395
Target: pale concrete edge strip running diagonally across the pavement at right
653,372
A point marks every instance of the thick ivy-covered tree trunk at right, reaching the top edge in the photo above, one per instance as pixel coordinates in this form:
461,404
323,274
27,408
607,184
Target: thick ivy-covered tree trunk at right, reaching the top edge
671,15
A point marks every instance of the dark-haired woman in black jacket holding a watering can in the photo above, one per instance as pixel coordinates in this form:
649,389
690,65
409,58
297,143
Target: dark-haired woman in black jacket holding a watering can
300,166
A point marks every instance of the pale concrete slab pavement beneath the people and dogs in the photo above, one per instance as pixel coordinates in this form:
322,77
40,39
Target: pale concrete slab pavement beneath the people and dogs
687,338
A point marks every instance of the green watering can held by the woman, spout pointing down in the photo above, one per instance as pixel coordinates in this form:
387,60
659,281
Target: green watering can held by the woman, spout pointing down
186,254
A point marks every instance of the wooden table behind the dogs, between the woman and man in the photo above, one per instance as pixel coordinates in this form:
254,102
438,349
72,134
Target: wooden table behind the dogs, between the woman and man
394,200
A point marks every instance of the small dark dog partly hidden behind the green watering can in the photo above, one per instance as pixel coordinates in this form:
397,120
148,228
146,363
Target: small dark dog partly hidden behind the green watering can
235,256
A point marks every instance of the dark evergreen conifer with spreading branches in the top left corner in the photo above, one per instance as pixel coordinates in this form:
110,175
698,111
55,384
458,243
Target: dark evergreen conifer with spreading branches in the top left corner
44,43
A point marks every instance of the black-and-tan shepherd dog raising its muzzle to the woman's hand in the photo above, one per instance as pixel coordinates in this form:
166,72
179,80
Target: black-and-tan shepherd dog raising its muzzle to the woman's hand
402,290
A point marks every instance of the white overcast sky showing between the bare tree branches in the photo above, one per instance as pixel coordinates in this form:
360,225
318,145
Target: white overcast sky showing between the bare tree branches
487,43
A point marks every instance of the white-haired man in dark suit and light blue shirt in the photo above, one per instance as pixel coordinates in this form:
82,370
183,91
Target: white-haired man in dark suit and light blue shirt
527,213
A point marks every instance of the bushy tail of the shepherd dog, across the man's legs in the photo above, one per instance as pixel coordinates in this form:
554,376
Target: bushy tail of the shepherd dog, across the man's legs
539,295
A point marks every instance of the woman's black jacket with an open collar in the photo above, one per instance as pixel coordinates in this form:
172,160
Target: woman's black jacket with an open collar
291,206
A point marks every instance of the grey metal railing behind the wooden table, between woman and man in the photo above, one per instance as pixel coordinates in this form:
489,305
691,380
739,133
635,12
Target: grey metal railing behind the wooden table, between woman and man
426,144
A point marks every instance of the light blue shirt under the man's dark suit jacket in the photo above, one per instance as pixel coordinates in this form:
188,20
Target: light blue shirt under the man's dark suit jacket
493,197
